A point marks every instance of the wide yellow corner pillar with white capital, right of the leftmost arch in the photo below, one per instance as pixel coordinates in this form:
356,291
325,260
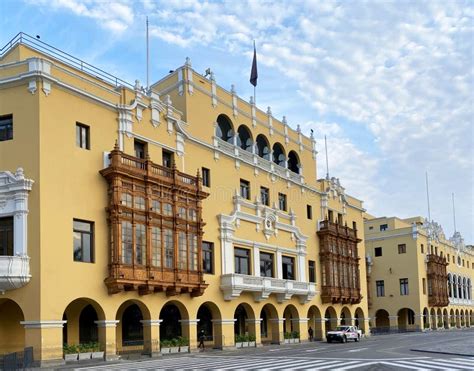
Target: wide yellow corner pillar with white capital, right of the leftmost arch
46,338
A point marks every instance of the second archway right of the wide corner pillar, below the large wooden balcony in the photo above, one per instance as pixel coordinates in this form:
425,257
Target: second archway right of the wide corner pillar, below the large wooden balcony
129,331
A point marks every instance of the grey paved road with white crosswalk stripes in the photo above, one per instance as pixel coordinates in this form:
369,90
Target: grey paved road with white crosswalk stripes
386,352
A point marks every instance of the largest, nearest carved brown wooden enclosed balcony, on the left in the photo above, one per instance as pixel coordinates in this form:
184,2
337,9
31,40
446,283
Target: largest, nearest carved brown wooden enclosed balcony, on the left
154,215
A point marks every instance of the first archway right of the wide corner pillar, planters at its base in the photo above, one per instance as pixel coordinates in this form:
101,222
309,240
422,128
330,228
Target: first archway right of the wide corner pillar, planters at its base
81,327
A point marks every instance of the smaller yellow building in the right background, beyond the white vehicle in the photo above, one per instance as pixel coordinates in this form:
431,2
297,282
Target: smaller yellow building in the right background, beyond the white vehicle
417,278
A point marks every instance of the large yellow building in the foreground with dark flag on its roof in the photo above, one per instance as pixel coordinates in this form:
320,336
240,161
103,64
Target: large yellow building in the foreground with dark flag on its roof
130,217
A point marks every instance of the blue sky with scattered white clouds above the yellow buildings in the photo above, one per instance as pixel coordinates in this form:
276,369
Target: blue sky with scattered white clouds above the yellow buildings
390,83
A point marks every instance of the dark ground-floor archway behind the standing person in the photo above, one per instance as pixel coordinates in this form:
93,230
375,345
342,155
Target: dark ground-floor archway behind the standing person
208,315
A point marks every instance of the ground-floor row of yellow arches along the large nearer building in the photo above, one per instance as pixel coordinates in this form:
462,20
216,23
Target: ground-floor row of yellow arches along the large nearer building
141,325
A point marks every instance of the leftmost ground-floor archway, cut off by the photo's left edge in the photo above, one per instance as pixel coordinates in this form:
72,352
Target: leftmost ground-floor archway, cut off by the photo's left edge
12,333
